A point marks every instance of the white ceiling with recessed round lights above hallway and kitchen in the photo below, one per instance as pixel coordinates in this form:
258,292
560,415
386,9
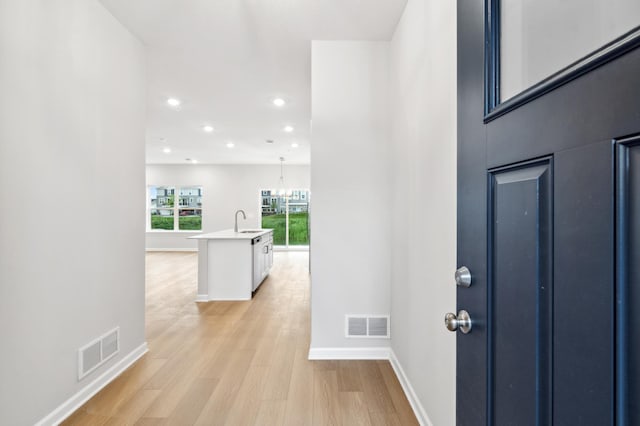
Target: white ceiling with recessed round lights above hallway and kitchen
226,60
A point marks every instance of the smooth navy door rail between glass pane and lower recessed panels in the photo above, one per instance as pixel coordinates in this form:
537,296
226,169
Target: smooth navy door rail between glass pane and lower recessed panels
608,107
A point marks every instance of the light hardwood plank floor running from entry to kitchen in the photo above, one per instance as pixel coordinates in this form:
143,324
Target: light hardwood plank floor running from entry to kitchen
240,363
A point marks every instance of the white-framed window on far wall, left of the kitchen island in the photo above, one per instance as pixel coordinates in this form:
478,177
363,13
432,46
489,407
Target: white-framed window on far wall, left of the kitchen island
165,214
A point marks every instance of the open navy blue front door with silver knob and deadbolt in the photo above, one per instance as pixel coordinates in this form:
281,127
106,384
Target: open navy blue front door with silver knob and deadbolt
549,225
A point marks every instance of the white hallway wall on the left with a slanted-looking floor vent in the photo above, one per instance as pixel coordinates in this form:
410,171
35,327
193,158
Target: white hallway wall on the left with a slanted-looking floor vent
72,185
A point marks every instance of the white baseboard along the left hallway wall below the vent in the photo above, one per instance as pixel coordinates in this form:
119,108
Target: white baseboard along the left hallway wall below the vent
72,404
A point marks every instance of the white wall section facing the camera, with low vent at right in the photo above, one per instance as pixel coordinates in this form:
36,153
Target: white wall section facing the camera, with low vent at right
350,183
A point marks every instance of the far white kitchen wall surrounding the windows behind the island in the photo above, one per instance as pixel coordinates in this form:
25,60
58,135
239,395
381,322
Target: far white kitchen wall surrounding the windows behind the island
225,189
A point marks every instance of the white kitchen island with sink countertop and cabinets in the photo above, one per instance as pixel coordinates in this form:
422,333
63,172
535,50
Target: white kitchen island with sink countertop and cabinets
232,265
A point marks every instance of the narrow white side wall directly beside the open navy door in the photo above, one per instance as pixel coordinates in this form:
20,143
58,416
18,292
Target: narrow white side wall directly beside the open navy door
423,117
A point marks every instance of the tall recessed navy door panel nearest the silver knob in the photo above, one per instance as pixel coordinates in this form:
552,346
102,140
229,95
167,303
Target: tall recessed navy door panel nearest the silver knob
520,294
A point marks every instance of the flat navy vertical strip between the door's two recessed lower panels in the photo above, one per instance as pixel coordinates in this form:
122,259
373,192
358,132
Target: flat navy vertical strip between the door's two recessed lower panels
583,291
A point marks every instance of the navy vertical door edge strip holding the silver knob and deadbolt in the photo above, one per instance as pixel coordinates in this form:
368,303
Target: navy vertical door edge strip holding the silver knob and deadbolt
471,213
